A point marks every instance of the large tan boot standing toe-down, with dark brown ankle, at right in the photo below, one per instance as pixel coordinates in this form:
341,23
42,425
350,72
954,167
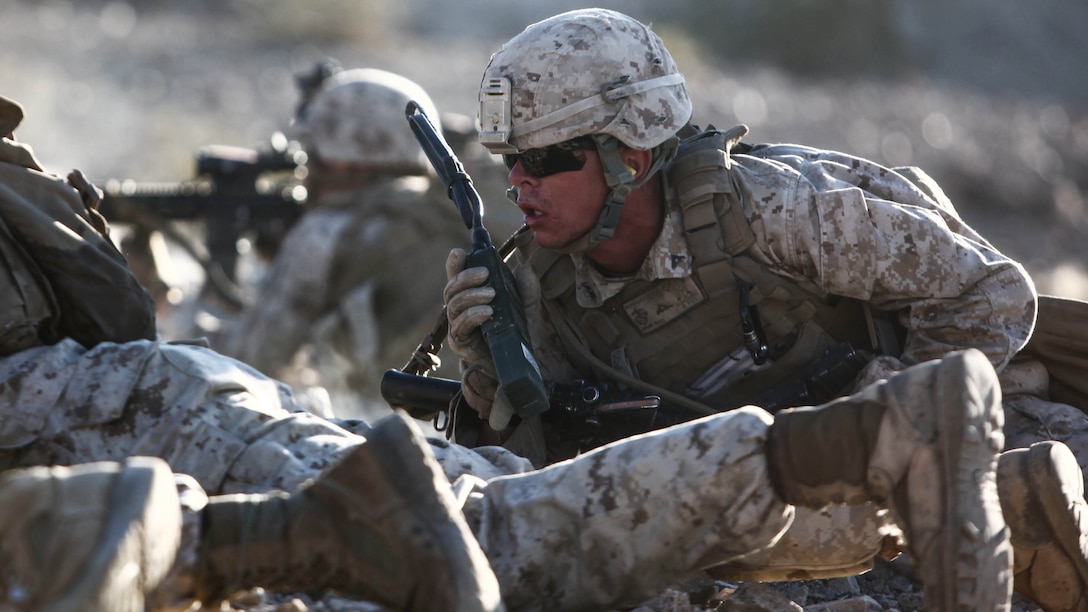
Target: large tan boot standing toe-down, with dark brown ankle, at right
925,443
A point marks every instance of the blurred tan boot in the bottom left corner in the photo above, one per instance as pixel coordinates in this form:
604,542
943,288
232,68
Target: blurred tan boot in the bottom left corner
96,537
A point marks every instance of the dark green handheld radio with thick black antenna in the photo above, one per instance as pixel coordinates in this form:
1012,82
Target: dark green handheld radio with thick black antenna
506,332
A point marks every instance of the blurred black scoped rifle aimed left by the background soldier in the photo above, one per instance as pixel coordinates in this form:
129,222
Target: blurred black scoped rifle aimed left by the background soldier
237,192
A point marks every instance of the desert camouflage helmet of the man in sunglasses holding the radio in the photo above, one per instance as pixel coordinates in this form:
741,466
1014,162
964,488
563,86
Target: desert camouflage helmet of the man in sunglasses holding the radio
589,71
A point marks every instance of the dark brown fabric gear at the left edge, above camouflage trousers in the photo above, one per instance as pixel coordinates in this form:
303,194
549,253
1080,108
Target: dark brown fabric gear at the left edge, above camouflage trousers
63,275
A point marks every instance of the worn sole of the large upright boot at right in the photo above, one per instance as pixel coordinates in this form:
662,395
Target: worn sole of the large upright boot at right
974,542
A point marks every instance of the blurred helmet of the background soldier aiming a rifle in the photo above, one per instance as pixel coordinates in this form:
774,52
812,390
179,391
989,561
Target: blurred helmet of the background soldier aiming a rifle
358,117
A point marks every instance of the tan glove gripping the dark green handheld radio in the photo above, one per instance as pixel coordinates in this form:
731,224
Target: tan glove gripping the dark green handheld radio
468,305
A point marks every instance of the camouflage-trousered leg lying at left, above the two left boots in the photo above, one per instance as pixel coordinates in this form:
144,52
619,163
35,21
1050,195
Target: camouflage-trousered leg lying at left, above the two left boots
208,415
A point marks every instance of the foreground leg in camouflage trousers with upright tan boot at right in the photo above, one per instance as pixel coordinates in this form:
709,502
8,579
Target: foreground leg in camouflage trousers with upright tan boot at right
621,523
